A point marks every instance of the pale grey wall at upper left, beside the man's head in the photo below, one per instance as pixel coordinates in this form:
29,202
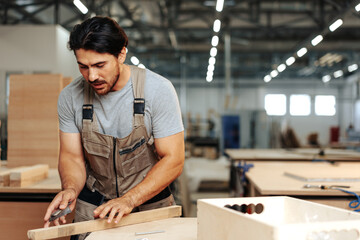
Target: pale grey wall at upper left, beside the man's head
33,49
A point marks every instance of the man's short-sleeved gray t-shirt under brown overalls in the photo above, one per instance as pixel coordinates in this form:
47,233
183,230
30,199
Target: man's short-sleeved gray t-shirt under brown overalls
114,110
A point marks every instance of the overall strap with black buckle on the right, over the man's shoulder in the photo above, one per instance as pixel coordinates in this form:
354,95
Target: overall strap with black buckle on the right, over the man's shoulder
138,81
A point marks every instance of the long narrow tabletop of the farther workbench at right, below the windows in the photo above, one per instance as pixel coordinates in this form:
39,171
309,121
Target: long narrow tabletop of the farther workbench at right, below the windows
295,154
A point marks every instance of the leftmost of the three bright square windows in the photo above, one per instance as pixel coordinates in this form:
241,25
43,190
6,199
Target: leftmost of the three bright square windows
275,104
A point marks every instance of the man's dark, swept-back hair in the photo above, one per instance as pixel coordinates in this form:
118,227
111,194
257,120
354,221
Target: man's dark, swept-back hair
101,34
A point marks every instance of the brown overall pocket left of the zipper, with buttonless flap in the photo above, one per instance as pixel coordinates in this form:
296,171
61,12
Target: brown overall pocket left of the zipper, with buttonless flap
98,156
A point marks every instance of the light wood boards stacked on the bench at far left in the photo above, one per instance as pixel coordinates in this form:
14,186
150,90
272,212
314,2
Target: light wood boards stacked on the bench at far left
24,176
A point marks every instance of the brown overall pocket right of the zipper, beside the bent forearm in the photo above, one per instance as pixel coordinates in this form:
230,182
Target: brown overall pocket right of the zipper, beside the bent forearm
135,158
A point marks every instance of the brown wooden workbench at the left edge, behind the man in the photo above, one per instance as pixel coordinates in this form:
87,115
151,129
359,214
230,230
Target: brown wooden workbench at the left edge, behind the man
23,208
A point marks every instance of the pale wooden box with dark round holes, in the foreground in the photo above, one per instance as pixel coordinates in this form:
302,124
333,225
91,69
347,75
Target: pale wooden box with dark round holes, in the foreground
277,218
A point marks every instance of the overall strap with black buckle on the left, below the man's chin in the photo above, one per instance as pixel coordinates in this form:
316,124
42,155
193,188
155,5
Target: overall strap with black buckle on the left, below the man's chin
89,118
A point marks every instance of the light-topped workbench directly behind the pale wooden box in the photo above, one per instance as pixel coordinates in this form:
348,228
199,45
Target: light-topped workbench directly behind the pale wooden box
289,178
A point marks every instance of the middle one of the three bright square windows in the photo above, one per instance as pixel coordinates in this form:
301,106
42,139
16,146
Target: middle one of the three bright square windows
300,105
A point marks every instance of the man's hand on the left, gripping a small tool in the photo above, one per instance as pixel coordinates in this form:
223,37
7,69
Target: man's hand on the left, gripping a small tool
60,201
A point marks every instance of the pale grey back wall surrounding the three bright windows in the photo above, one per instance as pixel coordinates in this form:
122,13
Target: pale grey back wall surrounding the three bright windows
200,99
